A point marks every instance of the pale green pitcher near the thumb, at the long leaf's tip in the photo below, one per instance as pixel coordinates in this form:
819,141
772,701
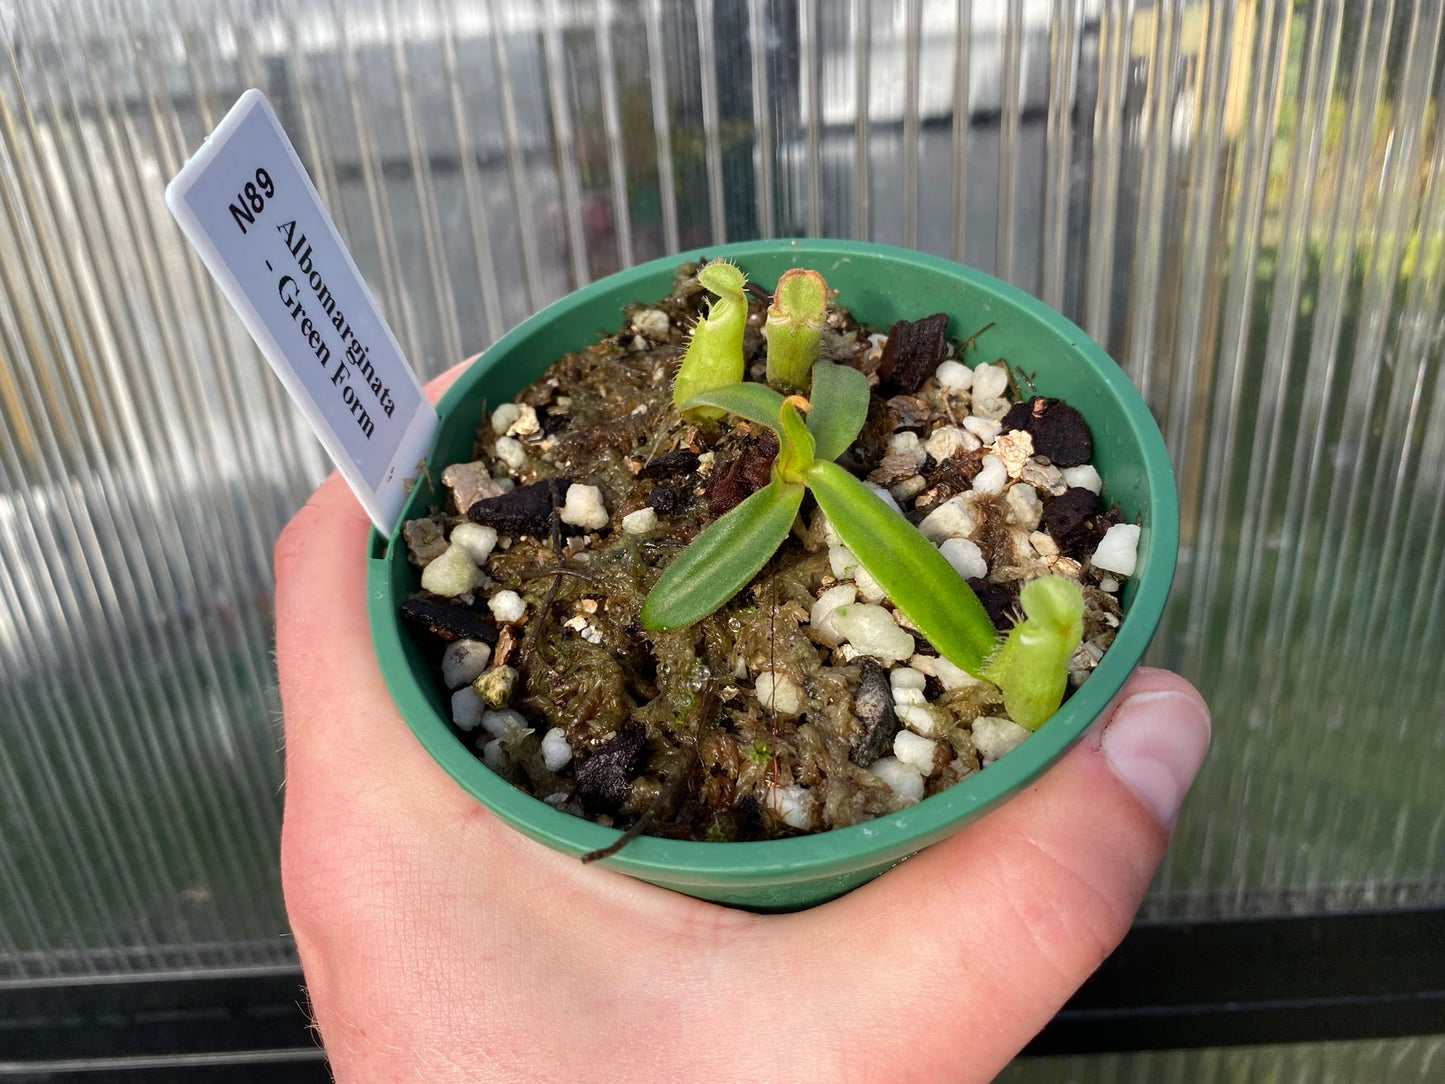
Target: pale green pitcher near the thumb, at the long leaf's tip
1032,668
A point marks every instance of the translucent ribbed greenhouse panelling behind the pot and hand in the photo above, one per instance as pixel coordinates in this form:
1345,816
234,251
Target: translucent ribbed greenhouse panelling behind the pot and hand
1243,202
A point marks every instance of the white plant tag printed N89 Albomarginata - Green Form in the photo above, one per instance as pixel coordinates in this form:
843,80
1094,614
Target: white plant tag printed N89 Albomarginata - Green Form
248,206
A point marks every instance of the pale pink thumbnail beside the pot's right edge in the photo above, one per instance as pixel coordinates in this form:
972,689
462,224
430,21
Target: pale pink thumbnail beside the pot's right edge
1157,744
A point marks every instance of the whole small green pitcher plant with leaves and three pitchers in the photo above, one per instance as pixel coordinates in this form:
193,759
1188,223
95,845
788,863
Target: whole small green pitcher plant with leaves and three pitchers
1030,666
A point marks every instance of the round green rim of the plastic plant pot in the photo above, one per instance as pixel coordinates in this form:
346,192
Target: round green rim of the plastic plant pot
837,852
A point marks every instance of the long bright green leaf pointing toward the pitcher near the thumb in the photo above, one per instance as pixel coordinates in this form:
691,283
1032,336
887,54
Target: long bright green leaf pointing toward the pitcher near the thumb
915,576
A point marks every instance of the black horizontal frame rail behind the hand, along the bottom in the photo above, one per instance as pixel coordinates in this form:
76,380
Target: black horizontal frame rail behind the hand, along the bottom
1171,985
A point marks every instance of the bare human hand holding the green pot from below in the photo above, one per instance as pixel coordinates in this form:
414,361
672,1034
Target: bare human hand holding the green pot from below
440,945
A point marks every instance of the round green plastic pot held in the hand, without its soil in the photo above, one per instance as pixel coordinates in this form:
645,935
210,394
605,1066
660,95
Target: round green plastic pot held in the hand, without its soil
879,285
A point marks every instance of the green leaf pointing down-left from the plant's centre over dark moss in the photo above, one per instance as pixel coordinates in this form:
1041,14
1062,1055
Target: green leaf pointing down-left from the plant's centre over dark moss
723,560
